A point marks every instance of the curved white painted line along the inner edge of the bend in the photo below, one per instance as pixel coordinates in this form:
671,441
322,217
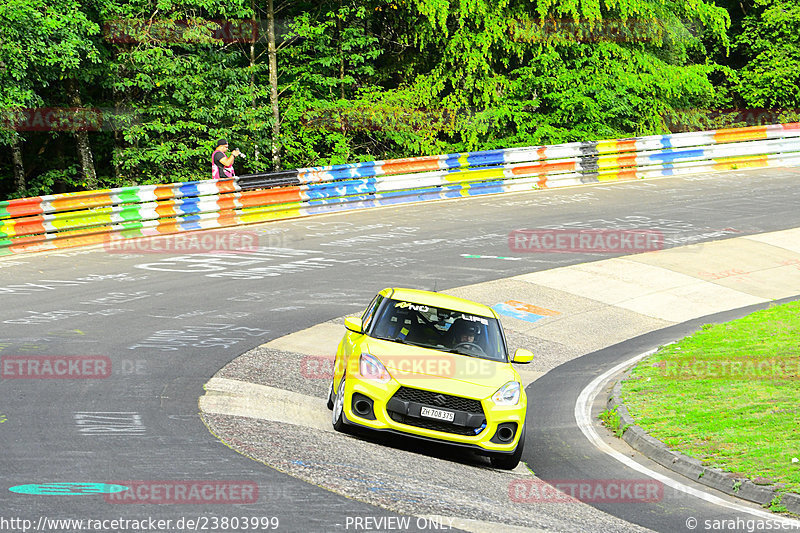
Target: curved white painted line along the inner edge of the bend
583,417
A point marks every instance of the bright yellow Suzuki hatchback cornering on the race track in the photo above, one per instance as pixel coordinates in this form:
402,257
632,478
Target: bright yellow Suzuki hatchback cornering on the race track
435,367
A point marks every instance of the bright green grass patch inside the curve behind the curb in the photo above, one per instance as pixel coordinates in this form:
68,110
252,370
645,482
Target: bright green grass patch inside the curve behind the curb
728,395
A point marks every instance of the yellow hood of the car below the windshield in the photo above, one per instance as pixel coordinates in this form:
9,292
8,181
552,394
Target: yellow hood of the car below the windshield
449,373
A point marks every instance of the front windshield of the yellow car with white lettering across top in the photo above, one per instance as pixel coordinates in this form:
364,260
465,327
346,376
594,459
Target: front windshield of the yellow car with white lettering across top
439,329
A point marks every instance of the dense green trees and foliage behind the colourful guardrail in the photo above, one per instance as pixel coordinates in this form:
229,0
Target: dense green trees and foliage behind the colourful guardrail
104,93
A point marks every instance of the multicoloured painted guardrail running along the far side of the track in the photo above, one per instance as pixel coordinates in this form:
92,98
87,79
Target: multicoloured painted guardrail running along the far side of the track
92,217
